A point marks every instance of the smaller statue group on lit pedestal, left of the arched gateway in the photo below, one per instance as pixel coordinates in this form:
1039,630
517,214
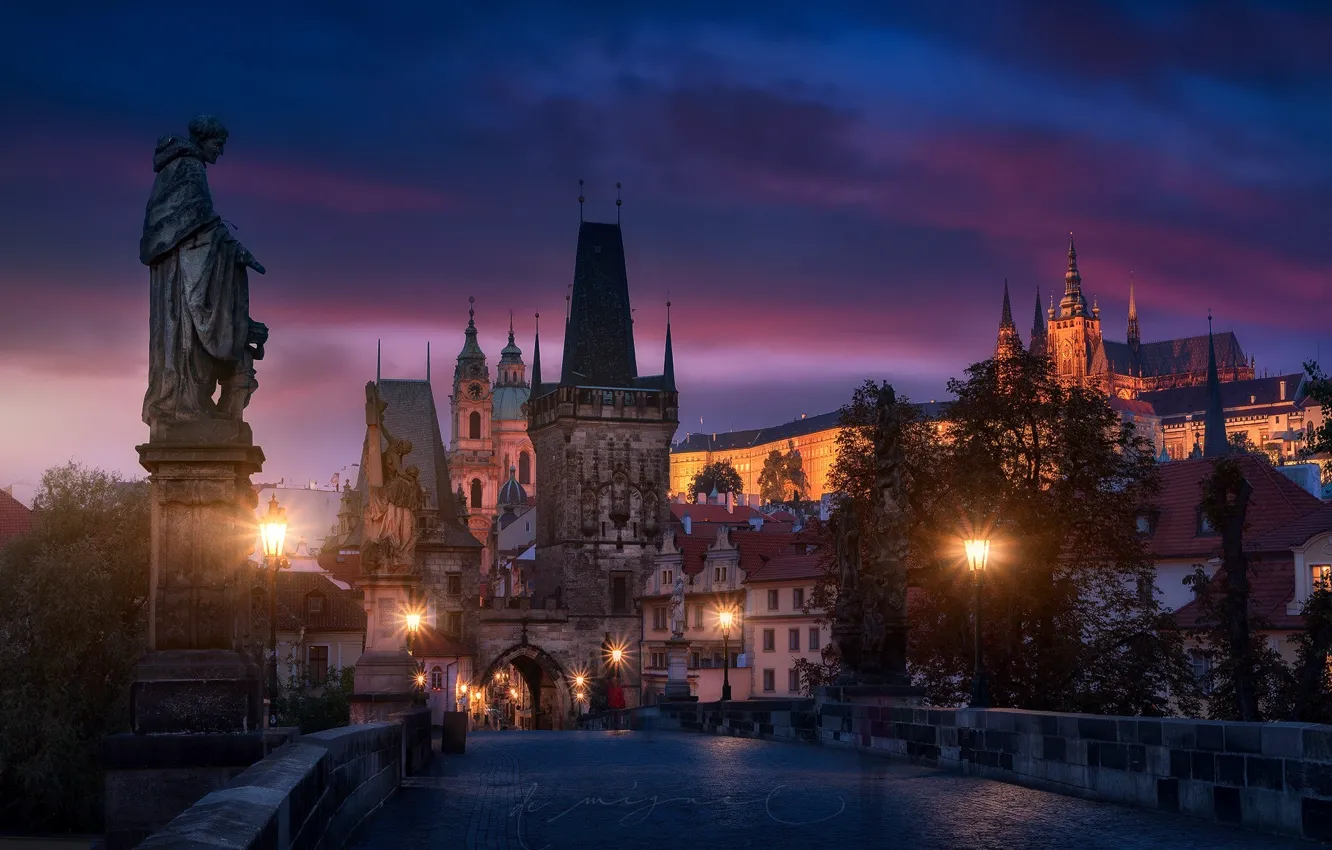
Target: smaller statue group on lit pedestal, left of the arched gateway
390,527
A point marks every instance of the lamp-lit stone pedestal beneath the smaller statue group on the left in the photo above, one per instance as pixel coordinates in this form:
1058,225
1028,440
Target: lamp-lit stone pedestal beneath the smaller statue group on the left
386,672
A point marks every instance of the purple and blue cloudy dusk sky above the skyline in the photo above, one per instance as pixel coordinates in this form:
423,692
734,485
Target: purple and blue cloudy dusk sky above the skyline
828,191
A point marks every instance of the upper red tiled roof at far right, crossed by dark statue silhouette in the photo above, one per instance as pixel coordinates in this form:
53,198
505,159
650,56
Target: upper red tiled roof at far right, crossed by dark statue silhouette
1277,502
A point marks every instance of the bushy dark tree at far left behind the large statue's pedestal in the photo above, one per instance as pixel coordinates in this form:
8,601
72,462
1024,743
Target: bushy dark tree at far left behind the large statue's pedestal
71,631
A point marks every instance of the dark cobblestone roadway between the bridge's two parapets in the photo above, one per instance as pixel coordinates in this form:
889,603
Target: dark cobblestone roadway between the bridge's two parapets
643,791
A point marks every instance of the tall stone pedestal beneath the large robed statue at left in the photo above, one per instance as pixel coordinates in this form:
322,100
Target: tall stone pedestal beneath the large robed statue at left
196,699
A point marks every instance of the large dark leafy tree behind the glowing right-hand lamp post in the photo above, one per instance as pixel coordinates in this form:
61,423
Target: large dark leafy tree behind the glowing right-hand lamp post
1057,482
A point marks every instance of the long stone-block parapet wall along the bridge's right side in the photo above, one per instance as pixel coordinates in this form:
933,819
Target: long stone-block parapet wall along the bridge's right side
1269,777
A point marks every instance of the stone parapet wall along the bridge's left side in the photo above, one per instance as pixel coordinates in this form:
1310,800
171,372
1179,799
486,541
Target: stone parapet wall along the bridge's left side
311,793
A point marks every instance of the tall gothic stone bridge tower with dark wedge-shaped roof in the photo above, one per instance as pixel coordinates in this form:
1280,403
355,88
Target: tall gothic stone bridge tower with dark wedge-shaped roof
601,434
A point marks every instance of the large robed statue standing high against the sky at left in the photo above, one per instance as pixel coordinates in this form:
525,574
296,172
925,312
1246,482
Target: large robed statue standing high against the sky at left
200,336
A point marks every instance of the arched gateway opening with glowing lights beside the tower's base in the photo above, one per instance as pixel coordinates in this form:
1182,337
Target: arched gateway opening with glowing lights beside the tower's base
528,689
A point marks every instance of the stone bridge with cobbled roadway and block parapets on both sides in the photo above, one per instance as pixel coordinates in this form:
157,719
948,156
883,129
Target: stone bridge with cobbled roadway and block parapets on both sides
688,775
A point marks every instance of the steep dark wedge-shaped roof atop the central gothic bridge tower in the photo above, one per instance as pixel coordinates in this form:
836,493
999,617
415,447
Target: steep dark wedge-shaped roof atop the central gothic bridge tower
600,338
